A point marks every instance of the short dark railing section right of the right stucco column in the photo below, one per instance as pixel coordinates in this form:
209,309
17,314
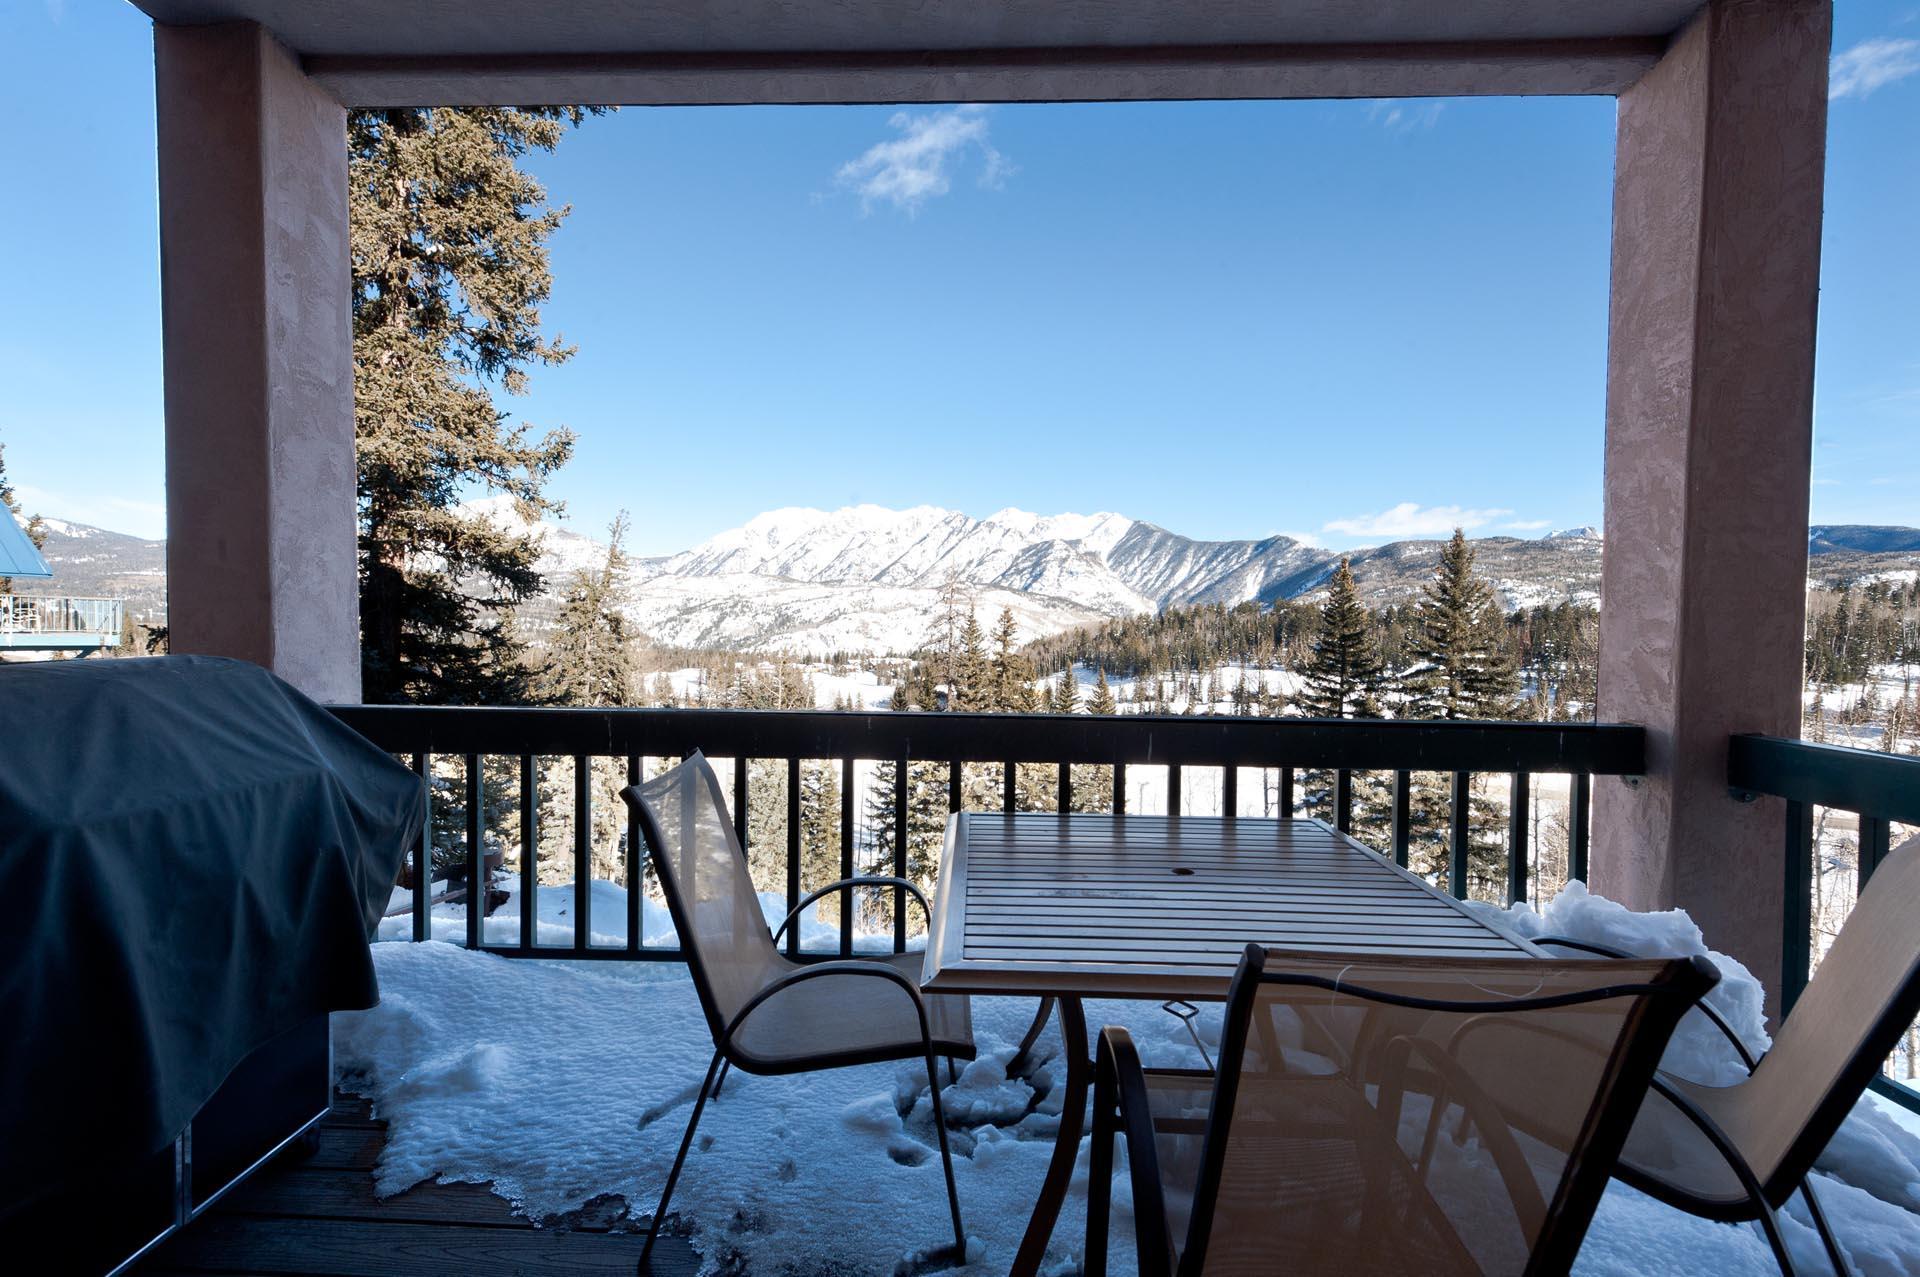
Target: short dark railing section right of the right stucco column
1879,790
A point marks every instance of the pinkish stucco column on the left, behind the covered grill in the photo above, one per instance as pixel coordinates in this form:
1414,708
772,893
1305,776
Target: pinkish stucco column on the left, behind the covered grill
258,358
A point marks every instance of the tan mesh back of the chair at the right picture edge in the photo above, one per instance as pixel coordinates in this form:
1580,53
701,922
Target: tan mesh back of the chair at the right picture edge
1844,1026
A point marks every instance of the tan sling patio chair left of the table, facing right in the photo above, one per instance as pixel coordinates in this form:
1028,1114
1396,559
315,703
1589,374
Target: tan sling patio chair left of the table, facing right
767,1013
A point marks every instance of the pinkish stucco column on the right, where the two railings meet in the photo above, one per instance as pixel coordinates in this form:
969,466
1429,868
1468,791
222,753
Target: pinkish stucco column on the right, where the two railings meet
1710,441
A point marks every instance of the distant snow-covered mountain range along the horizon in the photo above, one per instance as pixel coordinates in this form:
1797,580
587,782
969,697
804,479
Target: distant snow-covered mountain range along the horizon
869,579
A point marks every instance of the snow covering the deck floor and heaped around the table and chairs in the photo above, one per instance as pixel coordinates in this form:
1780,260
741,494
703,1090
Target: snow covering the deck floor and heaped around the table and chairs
588,1090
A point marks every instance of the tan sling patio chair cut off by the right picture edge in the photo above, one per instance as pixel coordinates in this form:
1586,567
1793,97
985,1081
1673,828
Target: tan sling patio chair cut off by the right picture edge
1739,1153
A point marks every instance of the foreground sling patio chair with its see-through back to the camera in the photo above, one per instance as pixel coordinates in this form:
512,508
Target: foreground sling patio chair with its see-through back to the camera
1387,1115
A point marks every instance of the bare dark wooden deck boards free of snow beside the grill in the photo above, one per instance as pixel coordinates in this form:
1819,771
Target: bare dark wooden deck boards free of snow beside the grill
318,1215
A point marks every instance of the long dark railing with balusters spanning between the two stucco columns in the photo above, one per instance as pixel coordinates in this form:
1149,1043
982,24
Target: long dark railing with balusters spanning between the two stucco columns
1287,746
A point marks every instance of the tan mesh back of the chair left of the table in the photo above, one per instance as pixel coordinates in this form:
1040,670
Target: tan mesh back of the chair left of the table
708,888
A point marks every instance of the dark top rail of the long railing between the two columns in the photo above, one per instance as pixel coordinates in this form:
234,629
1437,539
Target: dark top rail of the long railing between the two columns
1360,744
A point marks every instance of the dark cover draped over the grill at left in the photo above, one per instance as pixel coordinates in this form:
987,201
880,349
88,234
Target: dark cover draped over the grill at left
193,857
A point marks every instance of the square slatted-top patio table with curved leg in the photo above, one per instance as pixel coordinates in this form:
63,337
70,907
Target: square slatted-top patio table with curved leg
1161,907
